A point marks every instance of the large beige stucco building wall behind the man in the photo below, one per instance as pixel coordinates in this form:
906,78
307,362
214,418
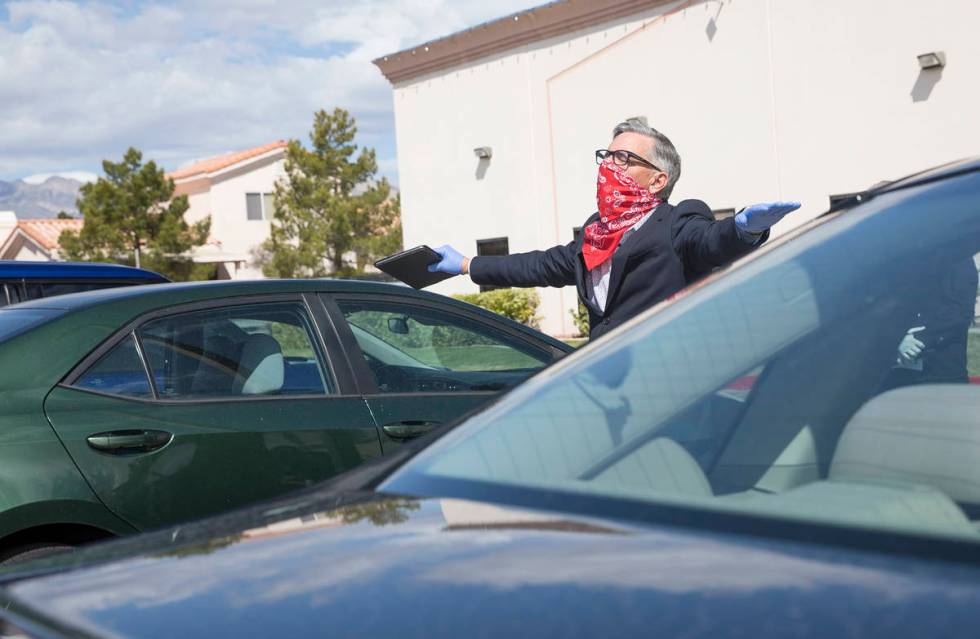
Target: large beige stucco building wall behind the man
789,99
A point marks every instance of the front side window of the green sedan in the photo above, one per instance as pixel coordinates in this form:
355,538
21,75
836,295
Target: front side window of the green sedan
421,349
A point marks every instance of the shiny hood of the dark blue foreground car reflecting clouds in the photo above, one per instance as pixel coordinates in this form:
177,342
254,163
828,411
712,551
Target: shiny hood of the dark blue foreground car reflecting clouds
442,567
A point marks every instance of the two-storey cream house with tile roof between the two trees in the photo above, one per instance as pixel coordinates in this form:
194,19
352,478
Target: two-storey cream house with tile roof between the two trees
235,190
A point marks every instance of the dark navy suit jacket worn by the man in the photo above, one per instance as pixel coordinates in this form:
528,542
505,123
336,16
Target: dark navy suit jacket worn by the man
676,247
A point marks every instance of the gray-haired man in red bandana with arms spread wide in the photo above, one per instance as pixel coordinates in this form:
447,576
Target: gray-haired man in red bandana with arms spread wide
637,249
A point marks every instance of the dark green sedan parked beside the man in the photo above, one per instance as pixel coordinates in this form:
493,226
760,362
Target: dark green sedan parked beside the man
128,409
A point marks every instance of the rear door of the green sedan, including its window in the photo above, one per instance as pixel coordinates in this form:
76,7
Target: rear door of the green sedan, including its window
204,408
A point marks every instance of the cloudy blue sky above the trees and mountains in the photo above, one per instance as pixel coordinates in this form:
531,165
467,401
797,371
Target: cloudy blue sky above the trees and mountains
82,81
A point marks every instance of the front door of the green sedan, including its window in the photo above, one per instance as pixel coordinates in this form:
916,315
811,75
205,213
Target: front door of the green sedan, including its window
421,363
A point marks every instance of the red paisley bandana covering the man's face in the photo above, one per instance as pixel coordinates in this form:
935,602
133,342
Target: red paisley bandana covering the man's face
622,203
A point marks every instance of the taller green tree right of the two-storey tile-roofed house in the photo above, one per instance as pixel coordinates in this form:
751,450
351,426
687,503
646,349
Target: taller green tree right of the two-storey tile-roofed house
332,215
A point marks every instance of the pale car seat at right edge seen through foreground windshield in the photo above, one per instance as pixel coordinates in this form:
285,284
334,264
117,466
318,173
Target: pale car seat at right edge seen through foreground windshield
928,434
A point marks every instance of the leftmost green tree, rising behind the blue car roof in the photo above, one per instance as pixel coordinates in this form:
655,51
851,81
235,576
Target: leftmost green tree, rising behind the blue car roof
131,217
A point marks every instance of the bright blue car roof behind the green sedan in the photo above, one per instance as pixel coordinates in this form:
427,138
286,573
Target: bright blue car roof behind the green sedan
21,281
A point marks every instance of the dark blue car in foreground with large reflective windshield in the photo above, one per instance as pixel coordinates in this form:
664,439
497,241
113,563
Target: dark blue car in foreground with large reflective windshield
769,455
